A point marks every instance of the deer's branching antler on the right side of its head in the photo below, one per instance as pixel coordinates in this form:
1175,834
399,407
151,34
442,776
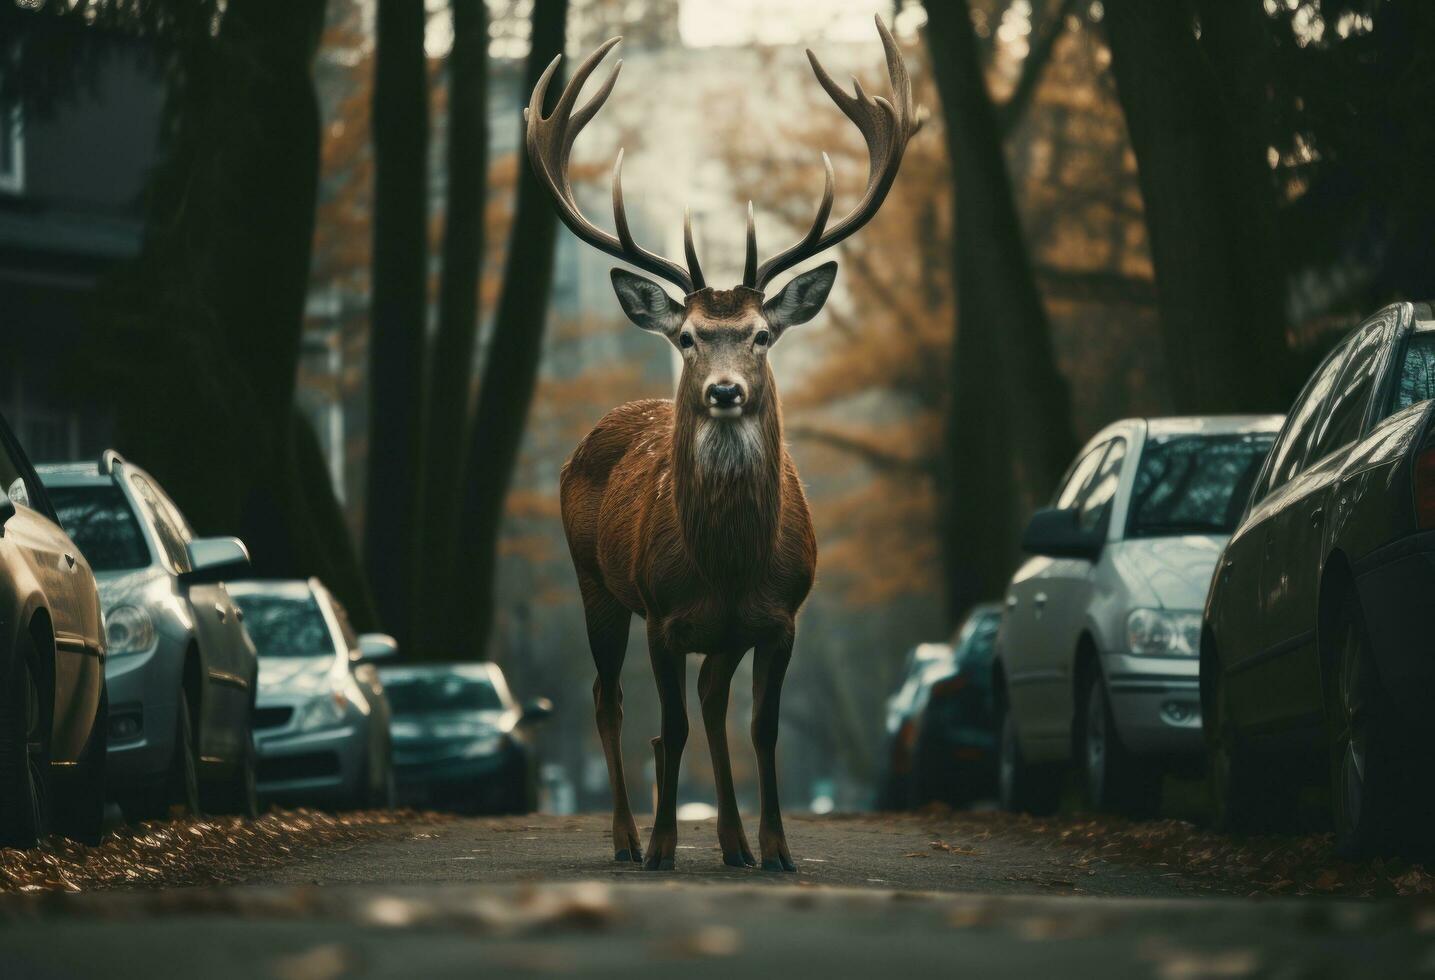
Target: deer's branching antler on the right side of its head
886,127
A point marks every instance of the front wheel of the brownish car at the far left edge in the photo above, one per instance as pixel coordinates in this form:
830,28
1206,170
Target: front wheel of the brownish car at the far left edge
25,748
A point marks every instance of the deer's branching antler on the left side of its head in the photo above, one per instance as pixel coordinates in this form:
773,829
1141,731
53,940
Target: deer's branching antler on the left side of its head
550,140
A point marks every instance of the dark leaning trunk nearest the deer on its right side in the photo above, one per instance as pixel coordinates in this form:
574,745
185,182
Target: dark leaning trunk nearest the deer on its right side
1008,431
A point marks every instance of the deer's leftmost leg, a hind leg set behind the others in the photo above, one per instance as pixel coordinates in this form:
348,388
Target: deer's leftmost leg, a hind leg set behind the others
608,638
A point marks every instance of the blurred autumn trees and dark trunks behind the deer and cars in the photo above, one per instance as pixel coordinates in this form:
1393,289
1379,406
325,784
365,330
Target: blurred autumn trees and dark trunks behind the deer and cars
347,318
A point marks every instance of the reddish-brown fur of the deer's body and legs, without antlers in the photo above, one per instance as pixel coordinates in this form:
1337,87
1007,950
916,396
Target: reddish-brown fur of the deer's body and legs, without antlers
718,562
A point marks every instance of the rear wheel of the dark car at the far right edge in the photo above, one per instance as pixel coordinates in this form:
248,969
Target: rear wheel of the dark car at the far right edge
1367,774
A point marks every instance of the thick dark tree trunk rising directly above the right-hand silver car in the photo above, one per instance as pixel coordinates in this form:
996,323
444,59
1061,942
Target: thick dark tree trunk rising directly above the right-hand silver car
1209,204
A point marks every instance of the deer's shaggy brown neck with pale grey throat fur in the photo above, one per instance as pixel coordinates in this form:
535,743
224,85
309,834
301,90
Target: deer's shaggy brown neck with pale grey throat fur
728,490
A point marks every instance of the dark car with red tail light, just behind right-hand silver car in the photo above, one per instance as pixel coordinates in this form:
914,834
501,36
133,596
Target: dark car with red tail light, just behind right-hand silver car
955,760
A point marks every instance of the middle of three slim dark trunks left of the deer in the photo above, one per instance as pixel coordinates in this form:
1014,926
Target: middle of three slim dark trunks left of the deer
451,364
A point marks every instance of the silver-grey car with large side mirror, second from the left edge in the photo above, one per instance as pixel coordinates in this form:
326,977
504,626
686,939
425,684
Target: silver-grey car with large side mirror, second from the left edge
182,669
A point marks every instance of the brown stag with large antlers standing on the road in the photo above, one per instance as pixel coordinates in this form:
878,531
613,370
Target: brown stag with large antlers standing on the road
690,512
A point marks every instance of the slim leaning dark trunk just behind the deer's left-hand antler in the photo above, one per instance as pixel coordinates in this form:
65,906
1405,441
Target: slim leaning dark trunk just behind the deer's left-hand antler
510,374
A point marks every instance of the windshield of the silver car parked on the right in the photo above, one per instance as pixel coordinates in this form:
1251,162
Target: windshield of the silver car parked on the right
1195,484
